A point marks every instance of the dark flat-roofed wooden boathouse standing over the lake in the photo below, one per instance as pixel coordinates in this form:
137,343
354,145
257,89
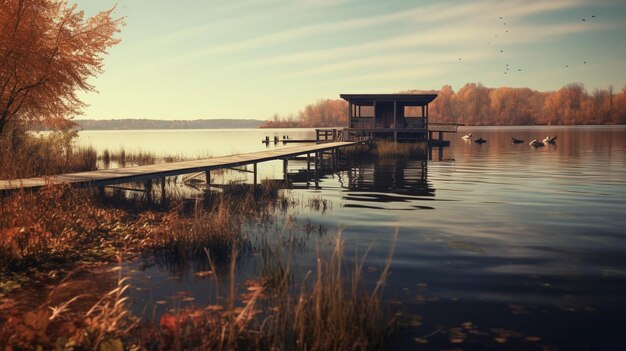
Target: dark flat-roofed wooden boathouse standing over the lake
397,117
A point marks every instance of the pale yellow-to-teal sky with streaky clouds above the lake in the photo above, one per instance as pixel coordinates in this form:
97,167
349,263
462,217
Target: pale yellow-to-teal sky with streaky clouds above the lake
193,59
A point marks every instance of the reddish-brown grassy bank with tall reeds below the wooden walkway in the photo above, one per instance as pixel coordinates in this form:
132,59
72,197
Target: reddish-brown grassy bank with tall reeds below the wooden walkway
328,308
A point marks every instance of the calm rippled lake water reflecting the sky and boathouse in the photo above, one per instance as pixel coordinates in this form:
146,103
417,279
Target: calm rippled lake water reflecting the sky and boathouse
521,242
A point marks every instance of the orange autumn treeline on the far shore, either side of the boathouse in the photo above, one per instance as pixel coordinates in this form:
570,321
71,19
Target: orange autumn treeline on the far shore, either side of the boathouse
475,104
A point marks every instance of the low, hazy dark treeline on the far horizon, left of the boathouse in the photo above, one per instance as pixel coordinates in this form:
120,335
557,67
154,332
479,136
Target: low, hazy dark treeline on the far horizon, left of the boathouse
115,124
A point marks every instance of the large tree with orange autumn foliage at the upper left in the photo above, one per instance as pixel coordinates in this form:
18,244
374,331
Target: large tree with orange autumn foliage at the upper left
48,50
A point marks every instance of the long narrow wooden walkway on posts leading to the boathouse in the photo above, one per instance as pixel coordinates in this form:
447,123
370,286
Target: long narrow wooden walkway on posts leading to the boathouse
101,178
